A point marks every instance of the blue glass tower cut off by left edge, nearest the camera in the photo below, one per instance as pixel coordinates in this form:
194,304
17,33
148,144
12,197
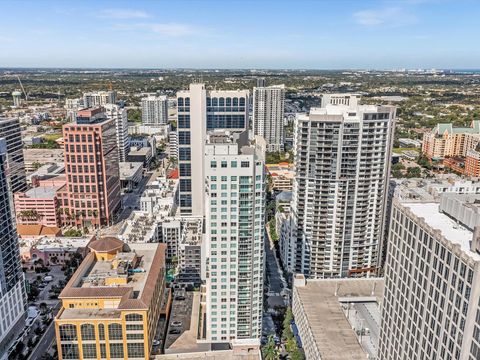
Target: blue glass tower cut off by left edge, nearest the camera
12,290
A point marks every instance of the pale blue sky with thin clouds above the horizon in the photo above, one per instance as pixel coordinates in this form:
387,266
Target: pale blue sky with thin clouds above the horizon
321,34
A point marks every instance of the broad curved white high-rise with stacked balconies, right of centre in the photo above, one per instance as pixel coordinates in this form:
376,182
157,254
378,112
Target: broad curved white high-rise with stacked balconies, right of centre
342,164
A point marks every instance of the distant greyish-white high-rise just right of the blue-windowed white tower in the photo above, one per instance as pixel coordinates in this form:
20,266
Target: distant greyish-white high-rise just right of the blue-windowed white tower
268,110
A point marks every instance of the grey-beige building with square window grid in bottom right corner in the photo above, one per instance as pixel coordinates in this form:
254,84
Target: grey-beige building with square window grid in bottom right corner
431,305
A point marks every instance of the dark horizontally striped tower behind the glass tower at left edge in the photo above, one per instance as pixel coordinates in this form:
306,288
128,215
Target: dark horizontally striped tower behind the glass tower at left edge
10,130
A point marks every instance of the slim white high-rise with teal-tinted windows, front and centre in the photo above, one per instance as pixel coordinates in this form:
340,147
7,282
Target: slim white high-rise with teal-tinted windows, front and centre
234,189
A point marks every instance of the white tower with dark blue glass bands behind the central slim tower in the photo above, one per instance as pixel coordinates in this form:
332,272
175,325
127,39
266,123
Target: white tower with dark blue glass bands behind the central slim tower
199,110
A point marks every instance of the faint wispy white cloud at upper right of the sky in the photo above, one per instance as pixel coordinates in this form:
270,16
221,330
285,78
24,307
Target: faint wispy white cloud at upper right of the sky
391,17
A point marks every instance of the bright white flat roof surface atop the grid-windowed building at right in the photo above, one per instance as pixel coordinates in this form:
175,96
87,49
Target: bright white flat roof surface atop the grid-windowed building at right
451,229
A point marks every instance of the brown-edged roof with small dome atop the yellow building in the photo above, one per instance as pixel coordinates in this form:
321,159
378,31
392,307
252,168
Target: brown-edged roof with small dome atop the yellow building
130,275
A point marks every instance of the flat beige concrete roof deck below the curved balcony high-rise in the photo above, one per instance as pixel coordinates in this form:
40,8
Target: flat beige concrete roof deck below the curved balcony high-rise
324,303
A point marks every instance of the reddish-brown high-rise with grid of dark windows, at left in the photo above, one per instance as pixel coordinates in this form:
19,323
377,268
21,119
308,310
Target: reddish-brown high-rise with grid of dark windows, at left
92,170
